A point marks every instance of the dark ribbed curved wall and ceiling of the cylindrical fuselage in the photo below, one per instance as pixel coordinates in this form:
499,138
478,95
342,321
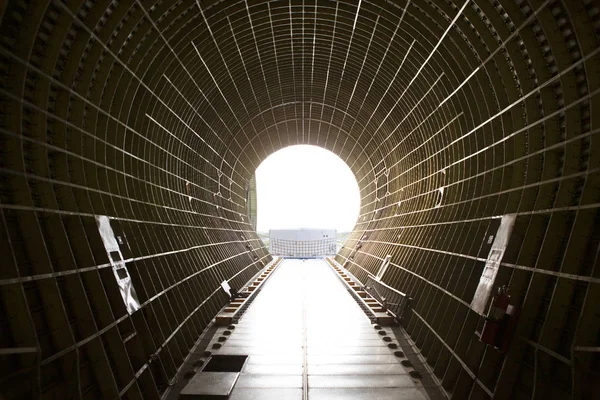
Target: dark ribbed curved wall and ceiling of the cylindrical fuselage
151,117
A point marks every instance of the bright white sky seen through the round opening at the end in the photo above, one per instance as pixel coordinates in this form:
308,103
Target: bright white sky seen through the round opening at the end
306,187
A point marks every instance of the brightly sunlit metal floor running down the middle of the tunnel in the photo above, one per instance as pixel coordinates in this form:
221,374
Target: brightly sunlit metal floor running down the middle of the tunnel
305,332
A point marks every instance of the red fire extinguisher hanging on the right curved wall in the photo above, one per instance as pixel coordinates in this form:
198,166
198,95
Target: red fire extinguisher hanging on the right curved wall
500,321
